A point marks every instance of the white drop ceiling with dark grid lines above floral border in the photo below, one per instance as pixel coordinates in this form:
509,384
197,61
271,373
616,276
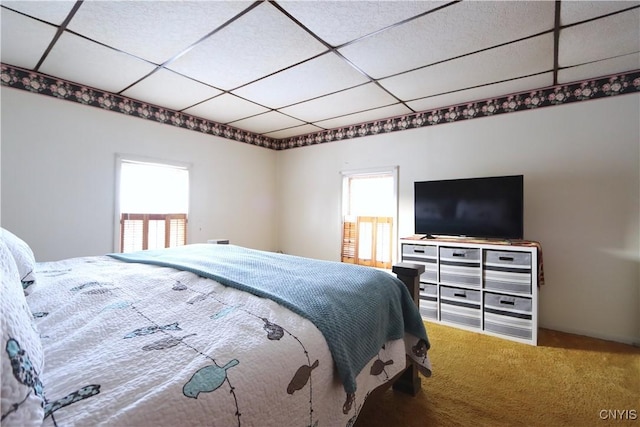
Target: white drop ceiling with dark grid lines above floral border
280,69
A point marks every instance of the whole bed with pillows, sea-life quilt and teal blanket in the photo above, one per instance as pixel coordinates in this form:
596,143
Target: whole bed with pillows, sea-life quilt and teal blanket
203,334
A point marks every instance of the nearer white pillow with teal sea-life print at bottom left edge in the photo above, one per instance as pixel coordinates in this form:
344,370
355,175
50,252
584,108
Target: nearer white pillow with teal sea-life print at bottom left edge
22,393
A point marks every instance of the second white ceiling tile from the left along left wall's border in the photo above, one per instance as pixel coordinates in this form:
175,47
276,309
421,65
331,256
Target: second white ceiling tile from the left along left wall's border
79,60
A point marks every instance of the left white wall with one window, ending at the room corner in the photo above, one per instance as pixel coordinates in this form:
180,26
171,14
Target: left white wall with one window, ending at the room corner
58,177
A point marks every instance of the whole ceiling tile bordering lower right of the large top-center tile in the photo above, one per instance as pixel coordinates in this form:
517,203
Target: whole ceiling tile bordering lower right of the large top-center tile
325,74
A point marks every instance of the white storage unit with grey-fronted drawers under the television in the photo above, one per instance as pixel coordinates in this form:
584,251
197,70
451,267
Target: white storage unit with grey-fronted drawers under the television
487,286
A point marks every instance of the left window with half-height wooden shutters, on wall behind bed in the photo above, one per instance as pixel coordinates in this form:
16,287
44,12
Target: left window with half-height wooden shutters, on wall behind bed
153,203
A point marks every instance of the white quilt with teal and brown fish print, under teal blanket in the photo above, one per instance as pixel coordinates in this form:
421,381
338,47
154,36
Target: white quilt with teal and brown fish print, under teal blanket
132,344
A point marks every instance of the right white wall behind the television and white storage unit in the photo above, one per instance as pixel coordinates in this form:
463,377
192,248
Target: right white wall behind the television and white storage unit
581,165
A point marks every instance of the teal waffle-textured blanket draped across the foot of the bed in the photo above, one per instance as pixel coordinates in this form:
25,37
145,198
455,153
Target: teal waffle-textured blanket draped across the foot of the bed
356,308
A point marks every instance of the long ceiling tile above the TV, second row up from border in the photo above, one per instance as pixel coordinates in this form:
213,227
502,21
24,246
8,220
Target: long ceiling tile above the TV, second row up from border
490,66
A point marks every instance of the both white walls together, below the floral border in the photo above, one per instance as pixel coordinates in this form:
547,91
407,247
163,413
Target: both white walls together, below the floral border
581,164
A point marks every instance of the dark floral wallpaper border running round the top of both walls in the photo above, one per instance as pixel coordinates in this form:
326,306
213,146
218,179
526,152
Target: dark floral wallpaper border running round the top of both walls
613,85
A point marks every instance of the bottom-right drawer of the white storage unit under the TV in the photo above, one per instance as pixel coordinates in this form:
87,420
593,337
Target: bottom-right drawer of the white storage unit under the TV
508,315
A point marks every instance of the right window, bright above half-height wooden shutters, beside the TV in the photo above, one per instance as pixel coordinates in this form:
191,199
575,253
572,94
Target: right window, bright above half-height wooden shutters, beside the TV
369,211
